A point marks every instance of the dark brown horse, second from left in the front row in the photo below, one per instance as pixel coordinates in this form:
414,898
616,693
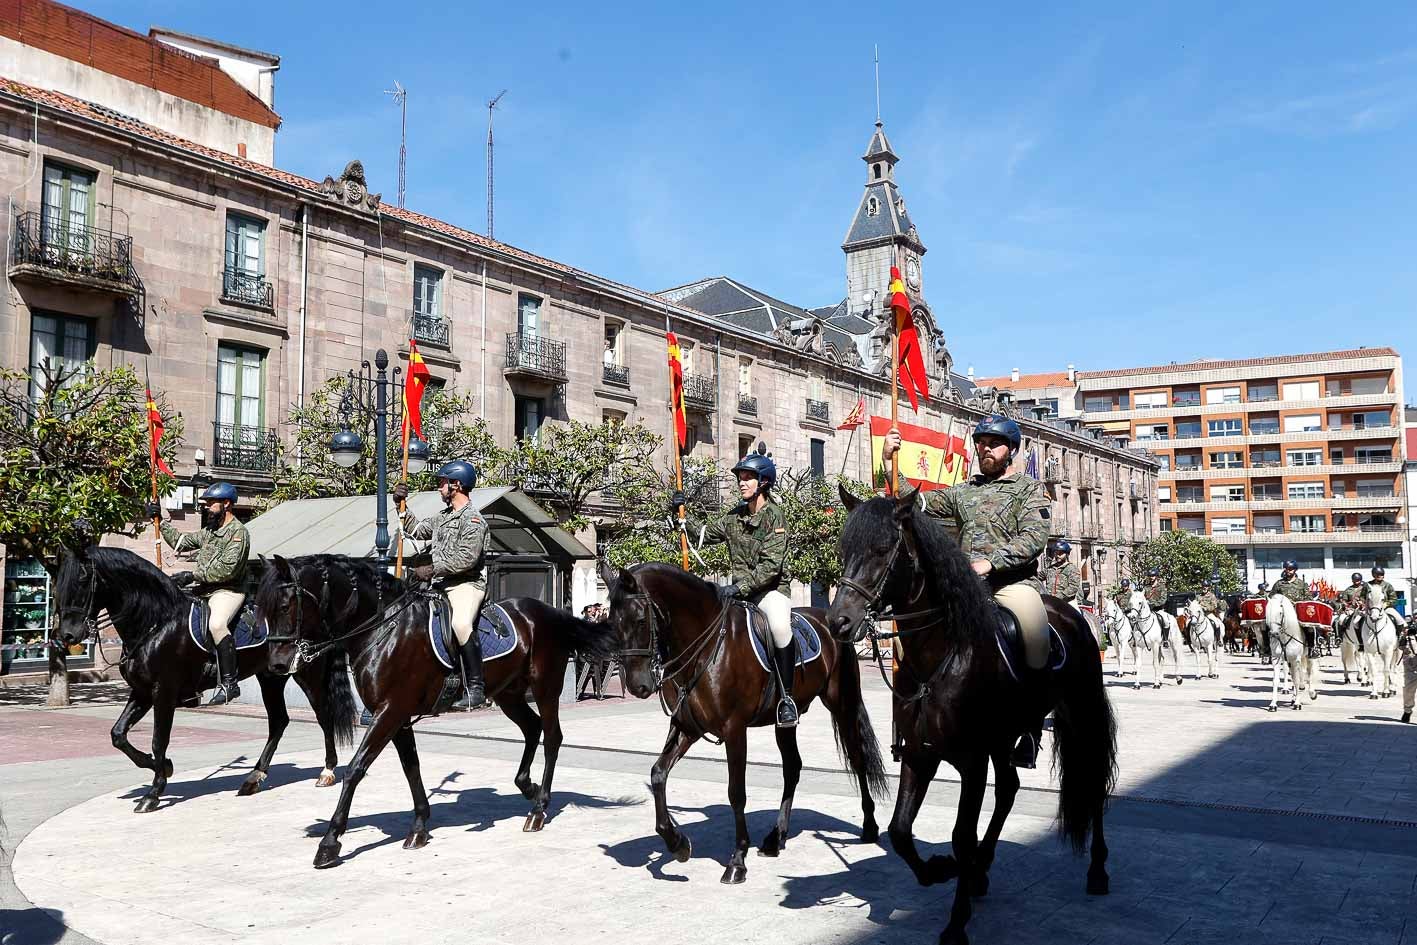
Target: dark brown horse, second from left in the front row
321,603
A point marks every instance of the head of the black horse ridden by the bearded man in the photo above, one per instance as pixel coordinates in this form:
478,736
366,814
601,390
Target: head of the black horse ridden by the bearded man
878,552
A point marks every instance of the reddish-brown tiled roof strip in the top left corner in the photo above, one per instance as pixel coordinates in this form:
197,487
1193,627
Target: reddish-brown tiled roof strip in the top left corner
107,47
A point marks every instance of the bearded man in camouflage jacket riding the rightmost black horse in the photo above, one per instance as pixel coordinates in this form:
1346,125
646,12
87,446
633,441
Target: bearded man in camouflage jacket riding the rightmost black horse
1001,524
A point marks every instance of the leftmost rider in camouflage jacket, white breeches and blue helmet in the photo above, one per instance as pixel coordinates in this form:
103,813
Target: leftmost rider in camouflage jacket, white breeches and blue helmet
223,549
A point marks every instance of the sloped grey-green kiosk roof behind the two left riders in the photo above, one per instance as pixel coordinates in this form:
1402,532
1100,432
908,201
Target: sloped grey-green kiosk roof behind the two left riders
346,526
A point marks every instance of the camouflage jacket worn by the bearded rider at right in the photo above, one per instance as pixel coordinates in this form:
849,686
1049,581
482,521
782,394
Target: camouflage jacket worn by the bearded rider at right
1003,521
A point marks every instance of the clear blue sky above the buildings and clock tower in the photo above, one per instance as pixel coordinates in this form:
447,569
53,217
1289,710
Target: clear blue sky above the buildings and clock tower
1116,185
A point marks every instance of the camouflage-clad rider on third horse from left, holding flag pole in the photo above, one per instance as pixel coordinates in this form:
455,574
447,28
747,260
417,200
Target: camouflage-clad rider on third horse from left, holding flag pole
756,532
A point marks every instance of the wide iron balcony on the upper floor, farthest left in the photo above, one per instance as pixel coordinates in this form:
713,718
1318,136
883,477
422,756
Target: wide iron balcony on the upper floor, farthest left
76,257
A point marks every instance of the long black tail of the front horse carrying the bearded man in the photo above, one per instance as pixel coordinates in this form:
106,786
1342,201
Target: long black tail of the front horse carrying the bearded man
1085,754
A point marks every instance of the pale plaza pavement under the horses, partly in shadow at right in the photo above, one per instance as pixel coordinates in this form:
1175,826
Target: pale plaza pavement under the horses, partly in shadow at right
1232,825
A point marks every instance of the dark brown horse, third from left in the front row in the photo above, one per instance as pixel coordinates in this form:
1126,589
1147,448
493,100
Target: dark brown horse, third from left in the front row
681,640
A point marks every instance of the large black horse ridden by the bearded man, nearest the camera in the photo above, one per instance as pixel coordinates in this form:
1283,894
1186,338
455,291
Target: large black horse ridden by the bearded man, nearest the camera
957,702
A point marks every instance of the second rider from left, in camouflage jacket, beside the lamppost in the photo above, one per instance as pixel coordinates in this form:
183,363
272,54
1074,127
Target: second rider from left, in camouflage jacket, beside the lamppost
460,548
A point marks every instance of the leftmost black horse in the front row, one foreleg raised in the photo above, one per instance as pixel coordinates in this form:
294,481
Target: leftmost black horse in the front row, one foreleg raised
164,668
